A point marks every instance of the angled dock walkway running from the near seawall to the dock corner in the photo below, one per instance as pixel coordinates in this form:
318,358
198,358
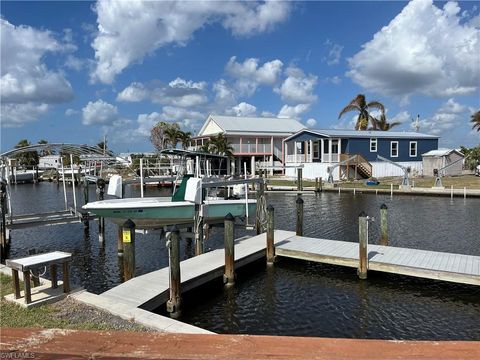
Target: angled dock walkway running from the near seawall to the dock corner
151,290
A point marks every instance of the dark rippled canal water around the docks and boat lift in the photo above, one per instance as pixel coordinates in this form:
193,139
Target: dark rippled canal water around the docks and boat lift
295,297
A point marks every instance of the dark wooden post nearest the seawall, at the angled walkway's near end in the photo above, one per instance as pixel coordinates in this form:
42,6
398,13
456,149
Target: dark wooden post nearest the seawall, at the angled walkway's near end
173,245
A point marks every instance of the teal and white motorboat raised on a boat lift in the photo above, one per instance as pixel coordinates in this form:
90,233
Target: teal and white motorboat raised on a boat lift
156,212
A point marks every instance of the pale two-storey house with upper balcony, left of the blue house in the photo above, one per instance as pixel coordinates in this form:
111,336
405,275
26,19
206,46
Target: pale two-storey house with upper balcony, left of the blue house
256,141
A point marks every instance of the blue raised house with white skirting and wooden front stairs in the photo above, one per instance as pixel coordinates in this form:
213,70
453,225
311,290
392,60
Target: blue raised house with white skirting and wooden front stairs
319,149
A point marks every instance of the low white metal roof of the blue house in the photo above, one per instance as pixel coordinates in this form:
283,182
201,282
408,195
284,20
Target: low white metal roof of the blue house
341,133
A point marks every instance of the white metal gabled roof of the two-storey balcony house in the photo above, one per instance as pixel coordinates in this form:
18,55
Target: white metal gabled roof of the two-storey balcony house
254,125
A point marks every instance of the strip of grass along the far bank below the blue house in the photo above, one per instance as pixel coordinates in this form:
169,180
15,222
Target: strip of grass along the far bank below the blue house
459,182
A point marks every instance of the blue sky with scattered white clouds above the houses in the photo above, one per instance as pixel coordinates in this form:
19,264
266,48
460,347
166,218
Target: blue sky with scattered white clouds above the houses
74,72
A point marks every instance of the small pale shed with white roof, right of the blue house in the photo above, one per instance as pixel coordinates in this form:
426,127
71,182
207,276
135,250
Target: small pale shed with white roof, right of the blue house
441,158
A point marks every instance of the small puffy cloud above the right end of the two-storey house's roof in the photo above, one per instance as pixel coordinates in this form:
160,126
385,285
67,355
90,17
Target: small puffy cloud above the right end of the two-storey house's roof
298,87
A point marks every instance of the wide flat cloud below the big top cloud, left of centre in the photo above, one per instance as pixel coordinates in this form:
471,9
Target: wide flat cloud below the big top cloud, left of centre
178,92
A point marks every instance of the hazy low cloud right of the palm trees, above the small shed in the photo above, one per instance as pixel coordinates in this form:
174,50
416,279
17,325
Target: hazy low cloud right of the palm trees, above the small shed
448,116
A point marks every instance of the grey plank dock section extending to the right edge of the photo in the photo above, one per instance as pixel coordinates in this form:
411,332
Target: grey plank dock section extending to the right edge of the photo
457,268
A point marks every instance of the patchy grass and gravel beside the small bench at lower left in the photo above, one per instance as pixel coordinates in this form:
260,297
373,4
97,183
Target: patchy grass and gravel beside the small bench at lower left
65,314
